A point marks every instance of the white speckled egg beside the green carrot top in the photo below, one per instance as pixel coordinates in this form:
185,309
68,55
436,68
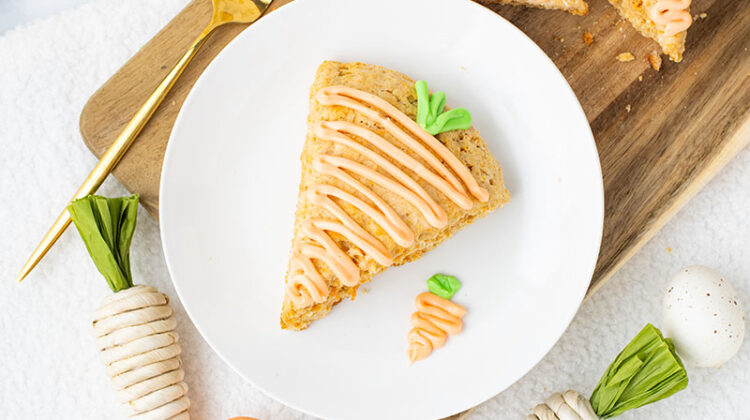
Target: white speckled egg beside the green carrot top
703,316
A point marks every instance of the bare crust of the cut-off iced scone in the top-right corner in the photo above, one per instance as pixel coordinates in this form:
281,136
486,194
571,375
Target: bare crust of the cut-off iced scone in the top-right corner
637,13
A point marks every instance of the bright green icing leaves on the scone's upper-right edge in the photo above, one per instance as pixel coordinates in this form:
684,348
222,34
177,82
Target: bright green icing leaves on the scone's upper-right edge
430,115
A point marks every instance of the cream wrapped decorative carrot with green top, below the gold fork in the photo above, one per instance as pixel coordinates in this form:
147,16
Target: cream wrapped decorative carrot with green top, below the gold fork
134,328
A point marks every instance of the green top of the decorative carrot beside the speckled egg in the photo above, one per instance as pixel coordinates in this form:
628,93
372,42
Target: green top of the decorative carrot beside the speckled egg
647,370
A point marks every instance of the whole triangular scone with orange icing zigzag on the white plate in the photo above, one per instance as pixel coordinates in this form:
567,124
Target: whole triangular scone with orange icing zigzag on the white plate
350,162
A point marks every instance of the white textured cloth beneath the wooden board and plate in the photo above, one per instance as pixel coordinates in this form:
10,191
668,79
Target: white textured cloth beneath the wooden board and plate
49,363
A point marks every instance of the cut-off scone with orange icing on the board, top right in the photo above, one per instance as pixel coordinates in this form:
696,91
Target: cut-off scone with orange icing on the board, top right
673,20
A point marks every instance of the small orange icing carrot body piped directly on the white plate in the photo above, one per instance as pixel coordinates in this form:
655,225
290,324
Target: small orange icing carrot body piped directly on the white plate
434,320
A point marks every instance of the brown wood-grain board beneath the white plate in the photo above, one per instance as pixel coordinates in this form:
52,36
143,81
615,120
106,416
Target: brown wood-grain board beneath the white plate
661,135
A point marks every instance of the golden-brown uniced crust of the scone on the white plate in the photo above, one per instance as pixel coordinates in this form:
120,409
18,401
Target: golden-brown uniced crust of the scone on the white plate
398,90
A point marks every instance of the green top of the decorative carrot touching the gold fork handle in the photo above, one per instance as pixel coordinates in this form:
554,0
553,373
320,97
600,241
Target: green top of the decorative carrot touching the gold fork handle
106,226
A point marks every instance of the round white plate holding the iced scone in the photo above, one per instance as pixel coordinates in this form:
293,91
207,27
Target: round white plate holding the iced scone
229,191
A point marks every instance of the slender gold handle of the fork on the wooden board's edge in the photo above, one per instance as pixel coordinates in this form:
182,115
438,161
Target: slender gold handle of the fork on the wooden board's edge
116,151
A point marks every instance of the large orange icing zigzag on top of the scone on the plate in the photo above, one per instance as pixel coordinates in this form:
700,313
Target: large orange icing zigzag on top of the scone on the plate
306,285
